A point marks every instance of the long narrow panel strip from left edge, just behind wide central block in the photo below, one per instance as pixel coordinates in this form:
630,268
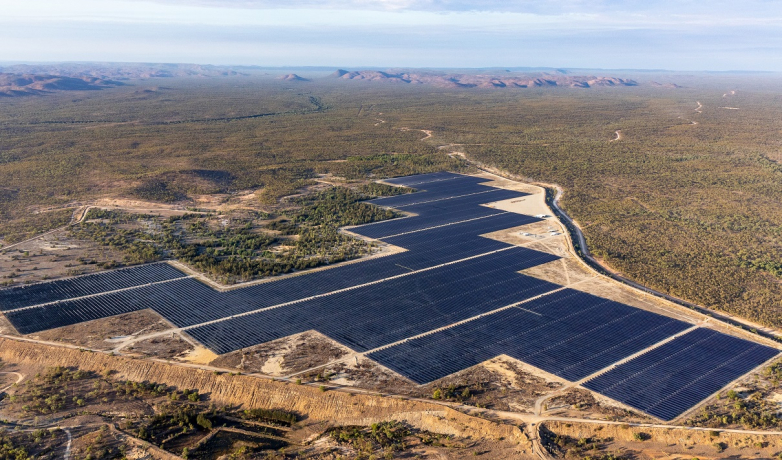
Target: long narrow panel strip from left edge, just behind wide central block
187,302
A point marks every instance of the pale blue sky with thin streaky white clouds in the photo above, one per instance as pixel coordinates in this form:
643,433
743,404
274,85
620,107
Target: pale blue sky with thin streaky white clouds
687,35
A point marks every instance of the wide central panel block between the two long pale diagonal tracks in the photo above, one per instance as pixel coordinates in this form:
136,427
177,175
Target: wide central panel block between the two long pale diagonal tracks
368,317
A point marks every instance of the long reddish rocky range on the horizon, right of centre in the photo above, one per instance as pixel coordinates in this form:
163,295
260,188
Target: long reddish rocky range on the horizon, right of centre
483,81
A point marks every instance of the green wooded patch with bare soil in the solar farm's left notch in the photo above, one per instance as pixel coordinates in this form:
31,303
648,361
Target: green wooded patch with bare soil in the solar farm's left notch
244,246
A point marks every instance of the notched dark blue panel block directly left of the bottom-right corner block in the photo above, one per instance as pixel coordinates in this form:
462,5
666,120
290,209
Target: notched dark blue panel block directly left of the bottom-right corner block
567,333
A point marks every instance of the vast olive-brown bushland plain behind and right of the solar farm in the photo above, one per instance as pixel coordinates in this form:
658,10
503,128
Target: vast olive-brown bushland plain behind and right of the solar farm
691,209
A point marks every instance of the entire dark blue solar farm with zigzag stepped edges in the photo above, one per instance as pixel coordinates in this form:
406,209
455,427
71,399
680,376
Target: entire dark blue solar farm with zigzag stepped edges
452,298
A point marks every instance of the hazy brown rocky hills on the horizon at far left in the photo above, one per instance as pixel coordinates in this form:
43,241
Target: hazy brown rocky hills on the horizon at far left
14,85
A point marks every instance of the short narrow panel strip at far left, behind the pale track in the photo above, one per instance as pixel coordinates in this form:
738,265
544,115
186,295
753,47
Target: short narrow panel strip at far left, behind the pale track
35,294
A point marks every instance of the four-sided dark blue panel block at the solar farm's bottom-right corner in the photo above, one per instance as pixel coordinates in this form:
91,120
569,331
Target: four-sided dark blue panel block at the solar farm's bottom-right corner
668,380
